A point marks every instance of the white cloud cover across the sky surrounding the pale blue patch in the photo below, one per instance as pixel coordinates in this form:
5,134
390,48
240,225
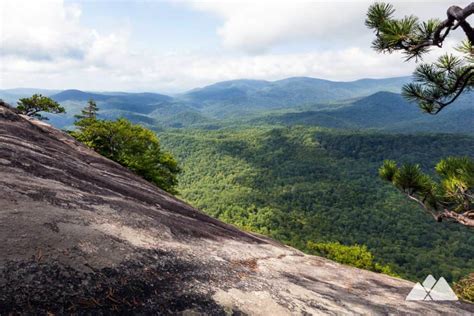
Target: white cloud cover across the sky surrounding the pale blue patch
43,44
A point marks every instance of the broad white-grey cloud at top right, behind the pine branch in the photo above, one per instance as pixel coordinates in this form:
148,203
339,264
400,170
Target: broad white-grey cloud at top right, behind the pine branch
257,26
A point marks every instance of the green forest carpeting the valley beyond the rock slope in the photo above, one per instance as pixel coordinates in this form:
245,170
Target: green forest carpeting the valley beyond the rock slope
307,184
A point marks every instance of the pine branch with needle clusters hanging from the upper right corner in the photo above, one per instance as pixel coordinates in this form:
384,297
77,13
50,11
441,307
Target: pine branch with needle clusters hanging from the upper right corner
436,85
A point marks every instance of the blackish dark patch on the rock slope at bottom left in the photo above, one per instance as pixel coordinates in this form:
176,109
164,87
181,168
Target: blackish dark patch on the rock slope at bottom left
157,282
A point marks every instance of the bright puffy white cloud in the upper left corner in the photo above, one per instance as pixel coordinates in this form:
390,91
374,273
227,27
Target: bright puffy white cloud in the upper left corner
50,31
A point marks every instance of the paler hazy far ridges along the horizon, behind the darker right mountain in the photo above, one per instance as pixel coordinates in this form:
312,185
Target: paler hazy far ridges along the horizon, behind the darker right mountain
220,100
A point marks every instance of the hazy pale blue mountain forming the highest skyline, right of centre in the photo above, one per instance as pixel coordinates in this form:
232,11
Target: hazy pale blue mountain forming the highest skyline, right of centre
233,97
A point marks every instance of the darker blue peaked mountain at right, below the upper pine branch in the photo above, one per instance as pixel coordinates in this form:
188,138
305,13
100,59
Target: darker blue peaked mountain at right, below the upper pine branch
384,111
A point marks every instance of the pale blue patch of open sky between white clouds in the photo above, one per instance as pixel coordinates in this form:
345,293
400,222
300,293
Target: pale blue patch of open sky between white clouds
158,25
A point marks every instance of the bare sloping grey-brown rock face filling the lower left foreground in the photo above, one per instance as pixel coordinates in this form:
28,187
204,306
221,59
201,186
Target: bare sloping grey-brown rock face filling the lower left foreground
81,234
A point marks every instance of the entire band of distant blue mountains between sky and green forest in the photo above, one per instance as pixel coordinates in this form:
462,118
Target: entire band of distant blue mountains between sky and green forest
360,104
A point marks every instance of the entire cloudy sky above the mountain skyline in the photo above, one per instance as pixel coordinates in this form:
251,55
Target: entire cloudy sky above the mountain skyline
172,46
